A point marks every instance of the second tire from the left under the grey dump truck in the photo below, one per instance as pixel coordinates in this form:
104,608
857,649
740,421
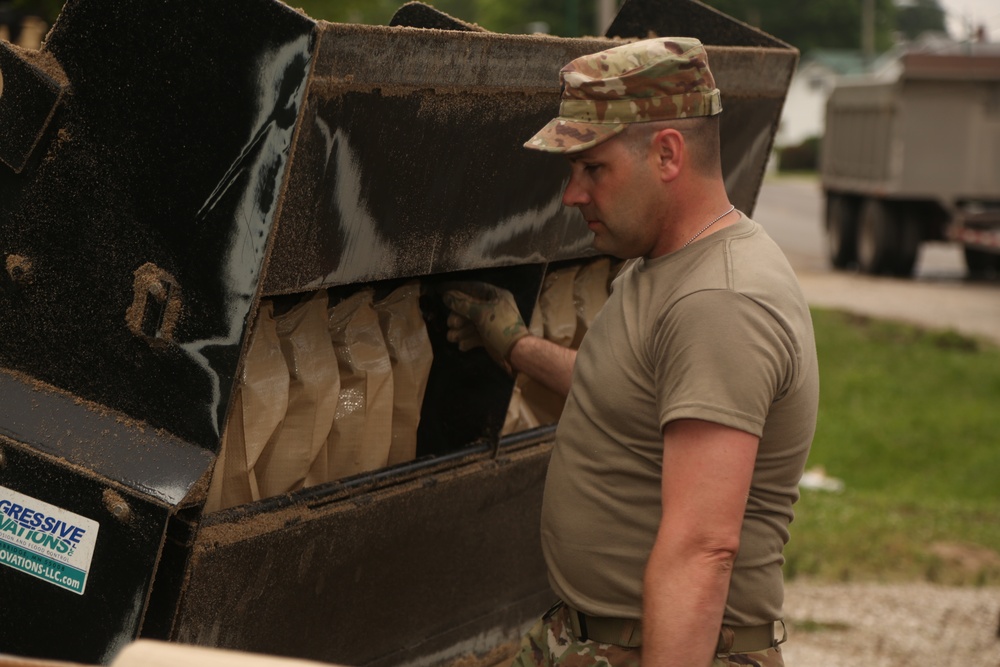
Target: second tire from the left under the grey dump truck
880,232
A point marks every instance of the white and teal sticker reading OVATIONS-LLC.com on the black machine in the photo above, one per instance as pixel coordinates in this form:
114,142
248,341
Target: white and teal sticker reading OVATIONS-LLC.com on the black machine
46,541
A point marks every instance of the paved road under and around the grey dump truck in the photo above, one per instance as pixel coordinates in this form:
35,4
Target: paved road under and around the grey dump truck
938,296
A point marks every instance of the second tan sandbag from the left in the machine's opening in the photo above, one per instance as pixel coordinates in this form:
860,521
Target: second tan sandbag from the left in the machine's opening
313,393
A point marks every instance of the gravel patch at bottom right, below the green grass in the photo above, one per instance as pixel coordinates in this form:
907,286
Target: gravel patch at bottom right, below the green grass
847,625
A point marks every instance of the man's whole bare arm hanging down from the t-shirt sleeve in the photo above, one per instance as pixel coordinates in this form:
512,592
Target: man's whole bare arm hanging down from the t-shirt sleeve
707,470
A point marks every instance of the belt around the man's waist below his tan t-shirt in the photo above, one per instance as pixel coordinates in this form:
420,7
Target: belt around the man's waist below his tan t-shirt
627,632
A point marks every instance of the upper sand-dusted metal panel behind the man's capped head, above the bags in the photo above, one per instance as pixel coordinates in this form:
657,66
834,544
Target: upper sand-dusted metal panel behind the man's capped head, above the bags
384,103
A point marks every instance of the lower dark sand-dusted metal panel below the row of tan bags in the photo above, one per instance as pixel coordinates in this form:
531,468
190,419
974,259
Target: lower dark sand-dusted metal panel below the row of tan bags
411,572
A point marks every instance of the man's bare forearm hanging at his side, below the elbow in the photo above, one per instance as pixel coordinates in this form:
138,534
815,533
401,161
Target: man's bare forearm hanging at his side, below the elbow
684,600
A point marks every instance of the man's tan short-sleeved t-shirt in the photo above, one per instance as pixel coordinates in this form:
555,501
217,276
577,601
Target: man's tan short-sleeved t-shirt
718,331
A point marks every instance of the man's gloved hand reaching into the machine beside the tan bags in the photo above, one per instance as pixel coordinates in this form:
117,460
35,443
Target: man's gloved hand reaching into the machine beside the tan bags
483,314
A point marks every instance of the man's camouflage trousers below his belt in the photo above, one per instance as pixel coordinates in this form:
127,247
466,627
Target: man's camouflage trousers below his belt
550,643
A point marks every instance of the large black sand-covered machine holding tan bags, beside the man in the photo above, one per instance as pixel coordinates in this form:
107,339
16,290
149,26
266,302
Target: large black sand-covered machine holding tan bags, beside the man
229,414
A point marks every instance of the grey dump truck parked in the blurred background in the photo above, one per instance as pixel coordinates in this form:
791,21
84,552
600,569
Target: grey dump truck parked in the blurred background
913,155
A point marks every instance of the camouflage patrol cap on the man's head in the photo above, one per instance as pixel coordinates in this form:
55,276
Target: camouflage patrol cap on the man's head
653,79
